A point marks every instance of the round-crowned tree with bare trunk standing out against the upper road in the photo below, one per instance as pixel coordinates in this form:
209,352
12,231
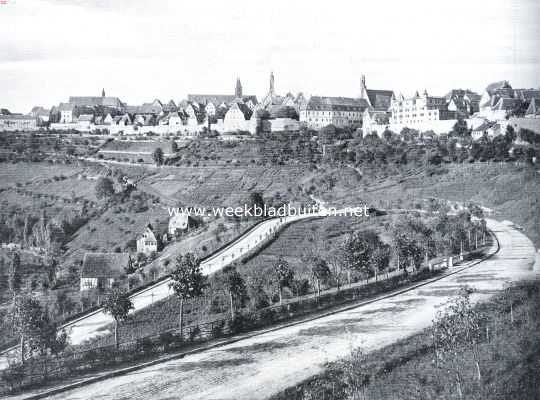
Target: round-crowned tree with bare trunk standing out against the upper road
187,281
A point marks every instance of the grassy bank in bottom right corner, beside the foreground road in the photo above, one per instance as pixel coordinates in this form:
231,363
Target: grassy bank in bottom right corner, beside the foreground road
509,357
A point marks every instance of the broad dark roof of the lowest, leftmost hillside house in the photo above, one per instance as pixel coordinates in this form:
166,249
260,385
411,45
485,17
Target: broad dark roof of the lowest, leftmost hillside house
104,265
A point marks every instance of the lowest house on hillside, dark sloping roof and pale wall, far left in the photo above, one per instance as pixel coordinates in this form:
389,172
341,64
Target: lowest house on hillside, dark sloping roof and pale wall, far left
102,270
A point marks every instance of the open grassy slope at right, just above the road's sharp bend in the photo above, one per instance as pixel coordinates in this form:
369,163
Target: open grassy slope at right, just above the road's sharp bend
512,191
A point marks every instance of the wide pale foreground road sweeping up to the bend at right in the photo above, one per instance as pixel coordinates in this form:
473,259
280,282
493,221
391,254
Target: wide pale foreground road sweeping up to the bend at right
262,365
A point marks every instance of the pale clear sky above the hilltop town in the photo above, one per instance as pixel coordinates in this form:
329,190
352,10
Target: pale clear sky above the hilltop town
139,50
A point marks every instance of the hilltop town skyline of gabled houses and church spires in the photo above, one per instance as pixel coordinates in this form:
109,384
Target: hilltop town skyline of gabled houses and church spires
374,110
